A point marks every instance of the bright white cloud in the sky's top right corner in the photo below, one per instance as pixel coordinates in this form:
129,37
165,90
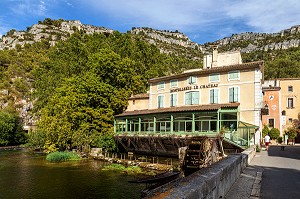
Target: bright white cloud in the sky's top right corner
266,15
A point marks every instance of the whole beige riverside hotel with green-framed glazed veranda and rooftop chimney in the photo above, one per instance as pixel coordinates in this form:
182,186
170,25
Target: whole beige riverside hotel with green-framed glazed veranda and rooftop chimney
223,97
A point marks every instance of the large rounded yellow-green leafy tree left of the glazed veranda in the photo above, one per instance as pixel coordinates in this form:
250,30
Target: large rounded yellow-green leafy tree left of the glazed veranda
81,112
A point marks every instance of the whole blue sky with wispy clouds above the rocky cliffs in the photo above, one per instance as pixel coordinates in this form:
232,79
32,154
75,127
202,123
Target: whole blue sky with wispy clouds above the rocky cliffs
201,20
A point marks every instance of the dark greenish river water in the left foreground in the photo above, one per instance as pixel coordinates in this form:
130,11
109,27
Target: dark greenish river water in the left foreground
28,175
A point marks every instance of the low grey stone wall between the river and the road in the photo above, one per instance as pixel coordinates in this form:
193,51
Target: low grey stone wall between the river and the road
212,182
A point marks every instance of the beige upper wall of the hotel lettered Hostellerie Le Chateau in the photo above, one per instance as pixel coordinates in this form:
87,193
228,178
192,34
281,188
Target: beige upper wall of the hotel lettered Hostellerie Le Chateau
246,80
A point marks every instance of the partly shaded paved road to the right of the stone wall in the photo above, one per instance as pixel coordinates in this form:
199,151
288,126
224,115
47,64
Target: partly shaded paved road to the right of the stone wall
280,176
